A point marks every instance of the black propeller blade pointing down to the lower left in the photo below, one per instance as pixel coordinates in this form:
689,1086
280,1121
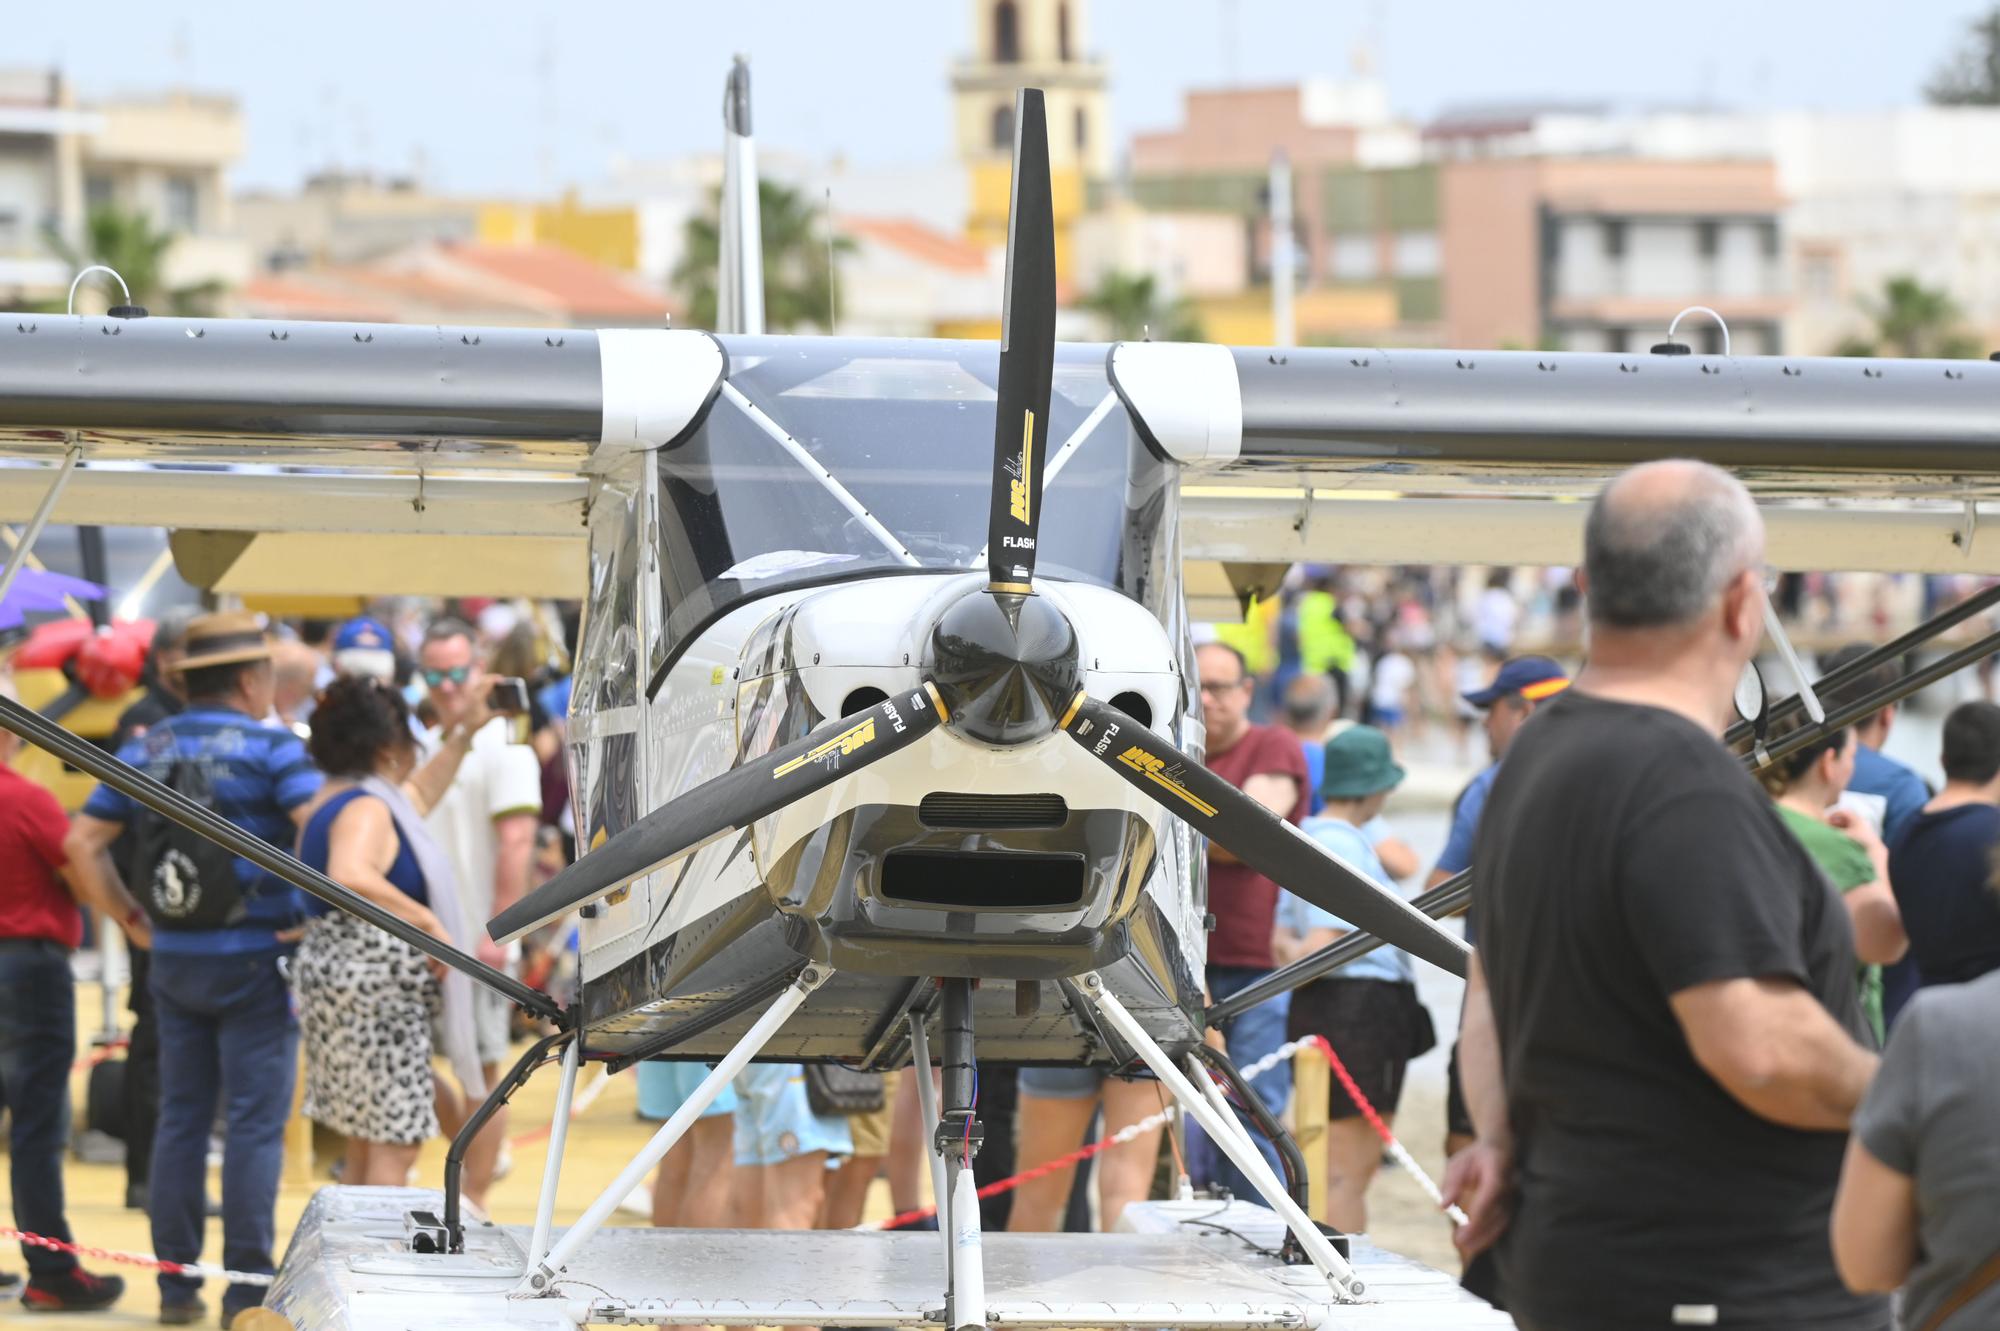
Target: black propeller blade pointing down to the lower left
731,802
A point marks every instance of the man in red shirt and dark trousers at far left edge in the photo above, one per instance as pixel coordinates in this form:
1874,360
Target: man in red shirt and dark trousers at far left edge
41,924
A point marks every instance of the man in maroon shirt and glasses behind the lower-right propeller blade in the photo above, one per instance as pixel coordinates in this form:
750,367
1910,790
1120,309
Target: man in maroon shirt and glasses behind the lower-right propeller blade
1267,764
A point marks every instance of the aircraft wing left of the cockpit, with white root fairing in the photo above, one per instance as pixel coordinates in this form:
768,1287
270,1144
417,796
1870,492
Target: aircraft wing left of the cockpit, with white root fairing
465,455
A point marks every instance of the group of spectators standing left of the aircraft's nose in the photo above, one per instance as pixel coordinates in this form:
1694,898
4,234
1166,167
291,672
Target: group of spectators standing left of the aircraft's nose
387,764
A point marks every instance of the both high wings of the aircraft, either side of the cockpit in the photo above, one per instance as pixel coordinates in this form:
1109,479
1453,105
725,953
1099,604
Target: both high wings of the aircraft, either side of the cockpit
465,455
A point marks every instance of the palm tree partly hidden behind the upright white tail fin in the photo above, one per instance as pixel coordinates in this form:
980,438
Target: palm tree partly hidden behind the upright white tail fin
799,263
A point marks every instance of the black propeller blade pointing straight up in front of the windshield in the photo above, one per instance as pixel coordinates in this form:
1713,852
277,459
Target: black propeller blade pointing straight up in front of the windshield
1027,357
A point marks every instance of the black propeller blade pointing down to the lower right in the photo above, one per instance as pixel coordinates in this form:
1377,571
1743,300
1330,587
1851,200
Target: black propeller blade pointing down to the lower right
1257,836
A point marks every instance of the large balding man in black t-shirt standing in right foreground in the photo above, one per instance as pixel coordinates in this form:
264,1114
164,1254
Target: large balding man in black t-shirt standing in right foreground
1663,1040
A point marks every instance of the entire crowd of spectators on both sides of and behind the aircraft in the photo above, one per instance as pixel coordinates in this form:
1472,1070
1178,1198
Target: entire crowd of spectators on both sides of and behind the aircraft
1727,1044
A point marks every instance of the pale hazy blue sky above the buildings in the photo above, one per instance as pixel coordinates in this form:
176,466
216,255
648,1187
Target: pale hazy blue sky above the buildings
513,97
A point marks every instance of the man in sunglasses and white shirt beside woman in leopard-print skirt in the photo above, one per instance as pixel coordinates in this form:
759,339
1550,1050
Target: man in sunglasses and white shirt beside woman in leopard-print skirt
487,826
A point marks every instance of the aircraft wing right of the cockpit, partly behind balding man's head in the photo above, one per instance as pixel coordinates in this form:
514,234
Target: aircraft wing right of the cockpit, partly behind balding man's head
1413,457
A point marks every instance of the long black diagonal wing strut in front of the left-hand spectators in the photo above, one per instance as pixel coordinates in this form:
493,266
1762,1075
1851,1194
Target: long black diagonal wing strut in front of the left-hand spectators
173,806
